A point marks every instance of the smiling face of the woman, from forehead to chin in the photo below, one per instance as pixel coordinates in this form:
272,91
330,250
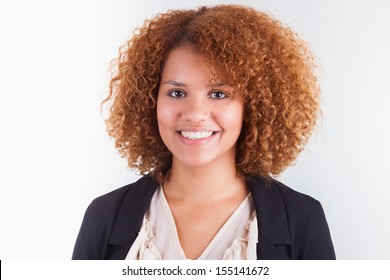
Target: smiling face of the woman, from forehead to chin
198,118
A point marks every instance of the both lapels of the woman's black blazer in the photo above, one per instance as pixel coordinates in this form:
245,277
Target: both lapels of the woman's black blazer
270,208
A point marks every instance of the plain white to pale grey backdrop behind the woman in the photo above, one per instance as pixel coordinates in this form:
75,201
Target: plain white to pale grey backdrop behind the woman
55,156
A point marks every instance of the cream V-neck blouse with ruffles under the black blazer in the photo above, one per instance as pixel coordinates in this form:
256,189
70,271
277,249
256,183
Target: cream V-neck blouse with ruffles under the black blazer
158,239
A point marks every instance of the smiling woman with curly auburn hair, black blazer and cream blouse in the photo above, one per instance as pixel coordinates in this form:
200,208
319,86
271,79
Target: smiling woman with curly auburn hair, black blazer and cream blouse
209,105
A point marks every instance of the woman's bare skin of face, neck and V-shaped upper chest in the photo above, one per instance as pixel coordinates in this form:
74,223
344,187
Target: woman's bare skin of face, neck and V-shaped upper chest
203,187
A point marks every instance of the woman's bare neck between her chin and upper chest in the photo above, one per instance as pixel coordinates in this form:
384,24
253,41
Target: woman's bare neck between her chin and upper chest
204,184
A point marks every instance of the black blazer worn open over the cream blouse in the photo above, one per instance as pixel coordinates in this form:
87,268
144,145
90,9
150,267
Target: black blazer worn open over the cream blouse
291,225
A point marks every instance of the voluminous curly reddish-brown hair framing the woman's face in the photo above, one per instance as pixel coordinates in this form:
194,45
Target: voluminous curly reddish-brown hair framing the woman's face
263,61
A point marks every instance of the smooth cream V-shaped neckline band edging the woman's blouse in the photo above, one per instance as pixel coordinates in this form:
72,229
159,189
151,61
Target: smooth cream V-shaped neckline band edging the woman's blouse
214,240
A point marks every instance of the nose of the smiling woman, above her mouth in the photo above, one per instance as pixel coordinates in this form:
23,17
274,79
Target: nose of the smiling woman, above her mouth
196,110
